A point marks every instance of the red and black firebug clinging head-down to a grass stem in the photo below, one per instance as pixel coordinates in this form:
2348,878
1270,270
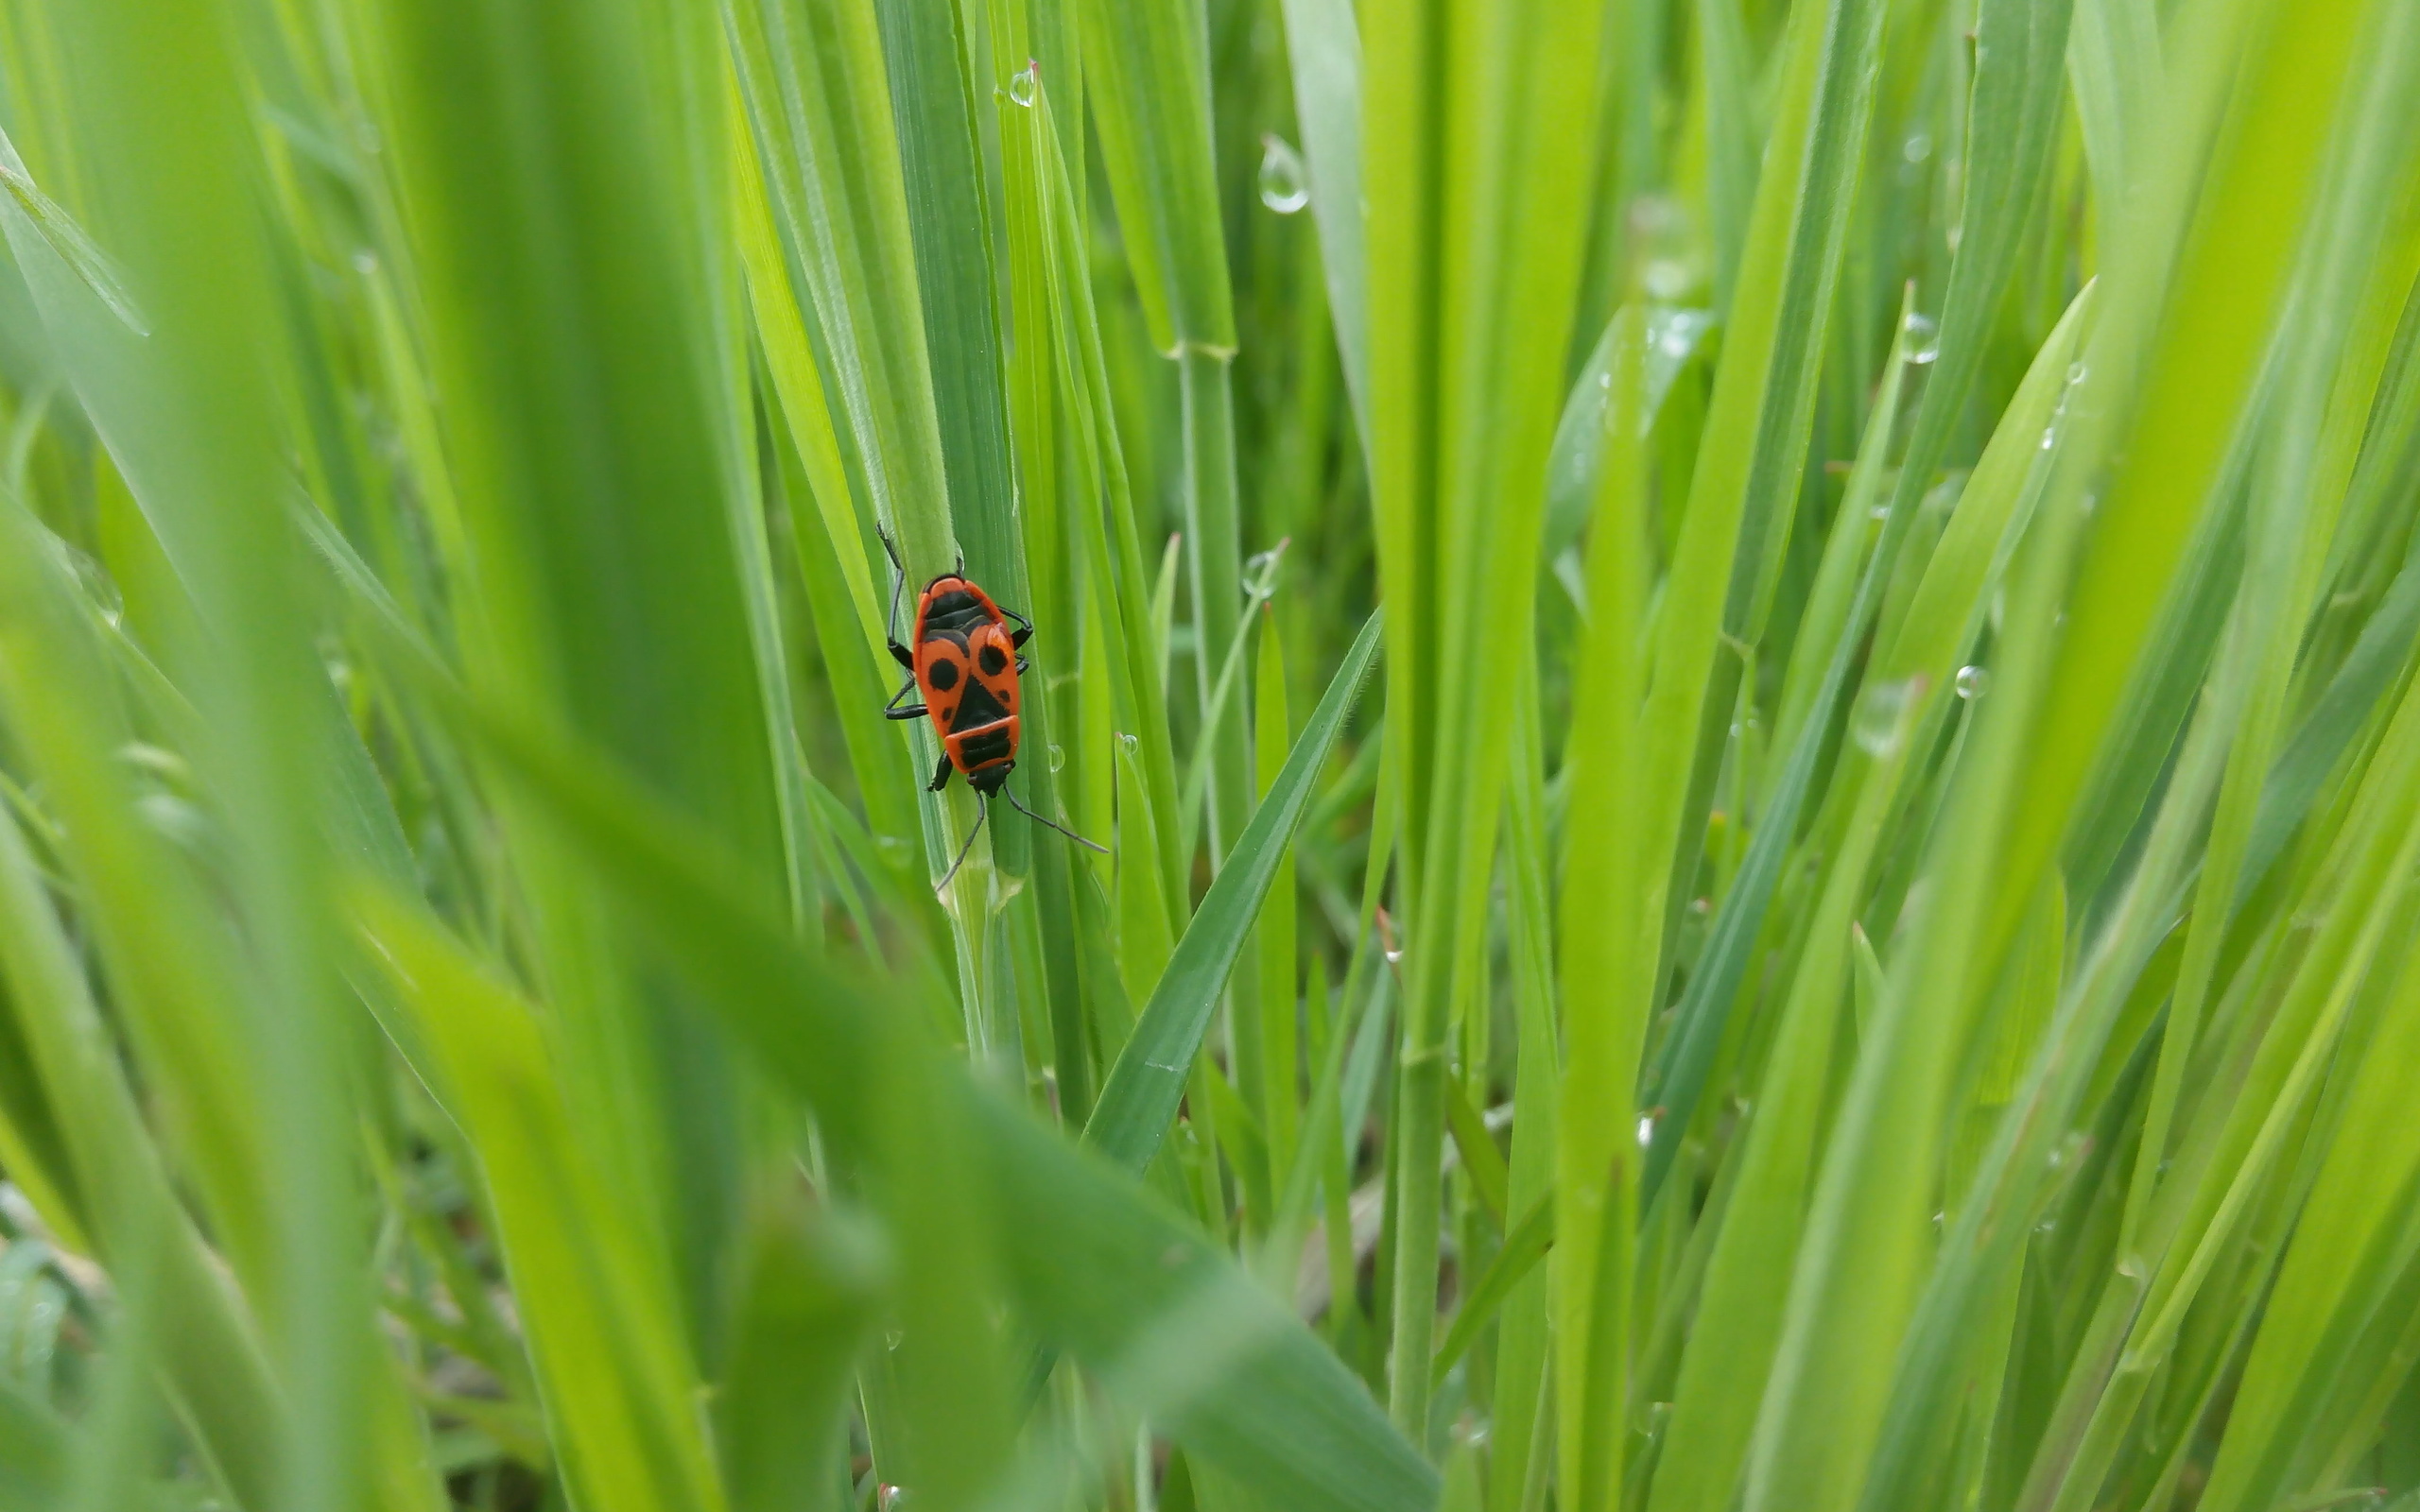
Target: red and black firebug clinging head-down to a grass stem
964,662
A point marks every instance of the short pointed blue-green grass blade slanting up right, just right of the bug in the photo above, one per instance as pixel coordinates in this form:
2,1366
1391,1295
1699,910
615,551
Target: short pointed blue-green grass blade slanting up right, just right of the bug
1148,1080
